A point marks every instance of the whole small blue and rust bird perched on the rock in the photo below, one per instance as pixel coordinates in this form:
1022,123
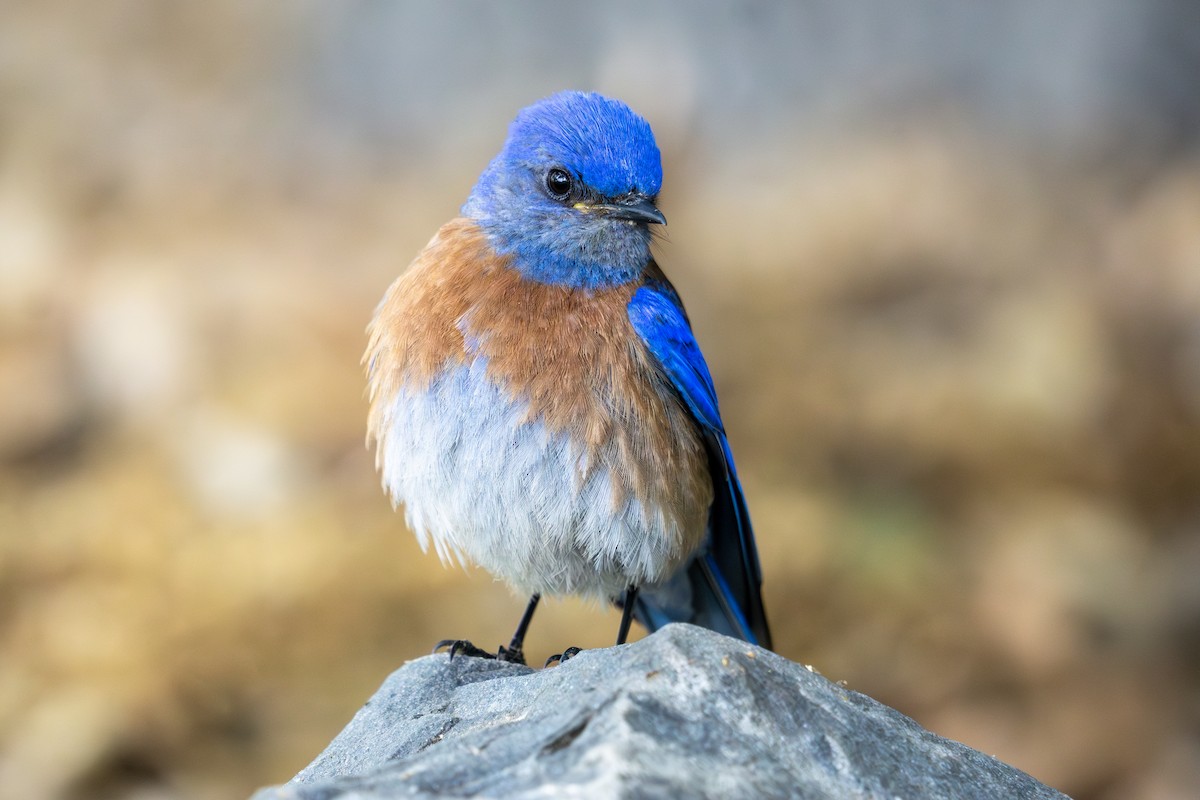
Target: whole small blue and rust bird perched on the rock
539,404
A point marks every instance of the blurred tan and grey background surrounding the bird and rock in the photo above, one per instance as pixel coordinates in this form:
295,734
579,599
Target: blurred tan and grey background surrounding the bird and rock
944,260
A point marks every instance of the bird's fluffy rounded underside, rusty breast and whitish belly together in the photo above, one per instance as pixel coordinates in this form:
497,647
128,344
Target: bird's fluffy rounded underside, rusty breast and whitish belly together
527,428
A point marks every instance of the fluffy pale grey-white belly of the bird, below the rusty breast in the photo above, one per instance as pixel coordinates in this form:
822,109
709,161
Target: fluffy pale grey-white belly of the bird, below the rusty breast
515,498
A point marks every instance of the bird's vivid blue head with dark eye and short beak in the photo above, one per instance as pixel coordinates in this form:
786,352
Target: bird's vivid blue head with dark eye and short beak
572,195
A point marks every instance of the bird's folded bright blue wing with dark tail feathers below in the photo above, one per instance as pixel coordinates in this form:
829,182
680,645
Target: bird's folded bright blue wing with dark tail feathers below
719,590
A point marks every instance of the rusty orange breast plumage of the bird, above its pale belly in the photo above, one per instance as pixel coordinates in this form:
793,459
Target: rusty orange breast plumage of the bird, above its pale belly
569,356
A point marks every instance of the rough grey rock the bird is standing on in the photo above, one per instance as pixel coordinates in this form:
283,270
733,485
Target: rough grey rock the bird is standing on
686,713
